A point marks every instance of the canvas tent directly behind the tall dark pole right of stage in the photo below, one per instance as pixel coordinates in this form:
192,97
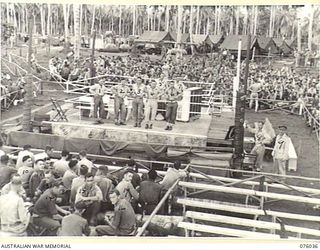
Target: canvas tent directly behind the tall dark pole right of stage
231,43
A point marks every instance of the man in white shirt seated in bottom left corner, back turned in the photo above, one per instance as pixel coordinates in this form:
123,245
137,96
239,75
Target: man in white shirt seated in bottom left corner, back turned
14,217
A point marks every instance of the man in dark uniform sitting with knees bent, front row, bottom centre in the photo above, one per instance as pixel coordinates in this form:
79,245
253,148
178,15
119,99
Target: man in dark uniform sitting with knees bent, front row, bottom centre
124,220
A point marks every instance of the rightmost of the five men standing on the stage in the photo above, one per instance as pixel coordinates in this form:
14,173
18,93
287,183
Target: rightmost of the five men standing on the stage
173,95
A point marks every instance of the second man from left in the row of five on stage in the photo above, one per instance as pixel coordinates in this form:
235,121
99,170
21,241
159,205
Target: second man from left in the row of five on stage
120,91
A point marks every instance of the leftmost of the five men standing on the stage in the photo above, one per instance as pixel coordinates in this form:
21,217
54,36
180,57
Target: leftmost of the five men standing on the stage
98,90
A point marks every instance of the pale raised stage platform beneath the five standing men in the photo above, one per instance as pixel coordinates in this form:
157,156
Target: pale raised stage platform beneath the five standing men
193,133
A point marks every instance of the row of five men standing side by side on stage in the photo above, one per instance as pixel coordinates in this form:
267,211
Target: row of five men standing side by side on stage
144,100
